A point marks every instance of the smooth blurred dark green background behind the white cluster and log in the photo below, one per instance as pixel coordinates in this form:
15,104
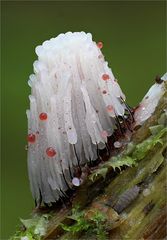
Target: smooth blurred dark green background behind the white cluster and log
133,34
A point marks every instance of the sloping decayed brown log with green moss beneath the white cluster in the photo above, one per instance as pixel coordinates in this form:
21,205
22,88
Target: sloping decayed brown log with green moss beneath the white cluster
129,189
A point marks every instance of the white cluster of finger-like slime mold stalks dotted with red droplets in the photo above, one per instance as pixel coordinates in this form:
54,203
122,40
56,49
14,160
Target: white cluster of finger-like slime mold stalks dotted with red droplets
75,105
